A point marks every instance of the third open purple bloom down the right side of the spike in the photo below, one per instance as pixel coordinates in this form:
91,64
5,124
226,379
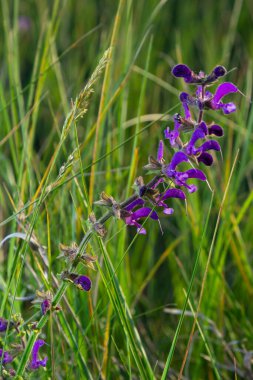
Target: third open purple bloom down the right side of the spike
180,178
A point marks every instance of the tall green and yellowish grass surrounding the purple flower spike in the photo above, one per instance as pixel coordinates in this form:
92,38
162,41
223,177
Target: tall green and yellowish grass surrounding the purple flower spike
152,294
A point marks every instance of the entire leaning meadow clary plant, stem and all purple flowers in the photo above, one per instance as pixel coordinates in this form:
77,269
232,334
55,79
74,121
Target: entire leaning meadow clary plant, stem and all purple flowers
171,180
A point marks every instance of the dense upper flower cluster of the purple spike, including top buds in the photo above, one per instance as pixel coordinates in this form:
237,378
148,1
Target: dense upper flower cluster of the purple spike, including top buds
170,181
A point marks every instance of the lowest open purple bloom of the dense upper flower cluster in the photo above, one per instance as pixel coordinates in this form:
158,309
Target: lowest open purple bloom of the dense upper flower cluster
131,217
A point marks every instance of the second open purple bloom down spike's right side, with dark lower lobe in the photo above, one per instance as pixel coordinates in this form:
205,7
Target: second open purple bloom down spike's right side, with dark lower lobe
200,152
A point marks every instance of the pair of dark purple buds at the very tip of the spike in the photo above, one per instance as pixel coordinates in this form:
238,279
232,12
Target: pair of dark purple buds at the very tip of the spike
183,71
